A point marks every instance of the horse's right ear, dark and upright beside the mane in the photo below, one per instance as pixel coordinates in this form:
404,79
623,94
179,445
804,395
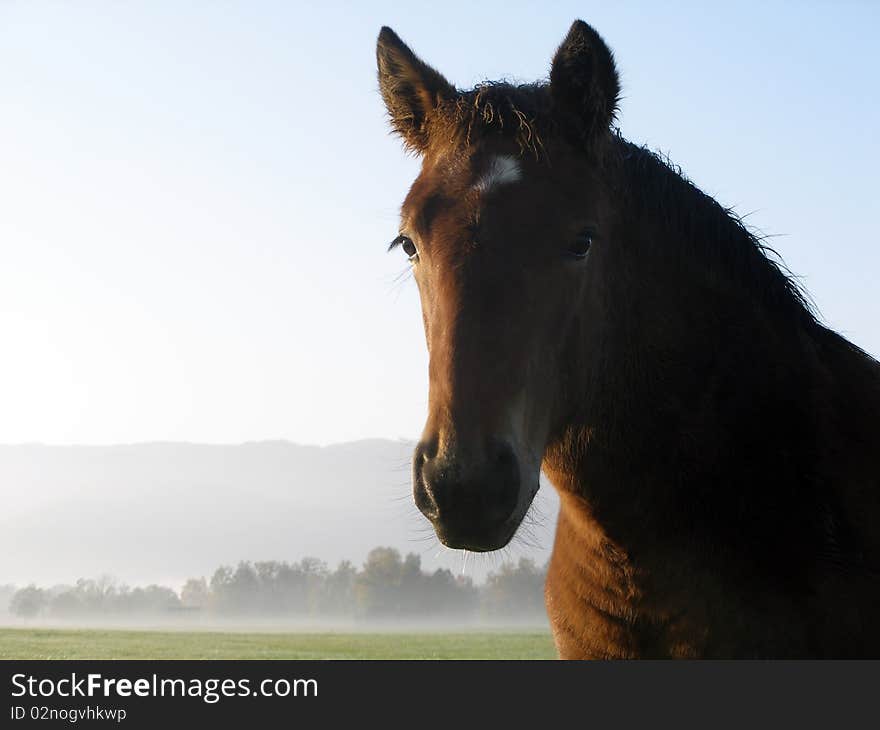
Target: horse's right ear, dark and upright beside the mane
583,84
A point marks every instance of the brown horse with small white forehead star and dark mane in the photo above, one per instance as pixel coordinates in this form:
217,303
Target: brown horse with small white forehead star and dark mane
590,312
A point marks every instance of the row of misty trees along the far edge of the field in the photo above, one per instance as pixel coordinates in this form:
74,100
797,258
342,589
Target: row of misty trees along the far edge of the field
387,586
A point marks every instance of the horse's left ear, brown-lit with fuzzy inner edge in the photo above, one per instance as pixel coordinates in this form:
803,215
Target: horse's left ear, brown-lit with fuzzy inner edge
412,90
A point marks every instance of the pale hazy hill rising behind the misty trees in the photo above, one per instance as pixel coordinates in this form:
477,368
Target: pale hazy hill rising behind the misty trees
167,511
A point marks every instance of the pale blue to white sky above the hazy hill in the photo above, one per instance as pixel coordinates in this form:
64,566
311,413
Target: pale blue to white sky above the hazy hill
195,198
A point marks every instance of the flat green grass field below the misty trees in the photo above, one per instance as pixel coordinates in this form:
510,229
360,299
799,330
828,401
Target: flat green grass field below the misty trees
120,644
